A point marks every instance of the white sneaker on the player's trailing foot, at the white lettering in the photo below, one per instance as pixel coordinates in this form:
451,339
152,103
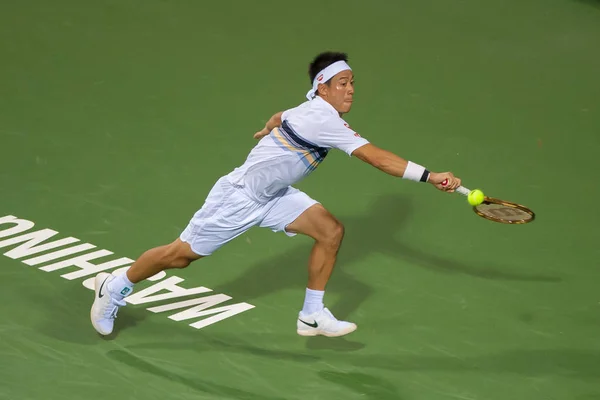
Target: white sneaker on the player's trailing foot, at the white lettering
105,307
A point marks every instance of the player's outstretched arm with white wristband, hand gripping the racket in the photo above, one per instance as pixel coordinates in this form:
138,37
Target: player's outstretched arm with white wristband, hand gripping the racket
394,165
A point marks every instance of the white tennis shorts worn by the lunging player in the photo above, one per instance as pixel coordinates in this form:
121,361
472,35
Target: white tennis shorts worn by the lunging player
228,212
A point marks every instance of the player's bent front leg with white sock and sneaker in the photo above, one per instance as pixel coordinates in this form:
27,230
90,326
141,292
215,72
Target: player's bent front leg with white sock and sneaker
328,232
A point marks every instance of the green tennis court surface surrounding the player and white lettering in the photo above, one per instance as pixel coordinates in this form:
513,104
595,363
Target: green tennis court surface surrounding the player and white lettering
116,117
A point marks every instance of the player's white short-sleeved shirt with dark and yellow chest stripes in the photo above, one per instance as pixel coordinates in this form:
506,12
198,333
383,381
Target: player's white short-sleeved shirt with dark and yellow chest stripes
291,152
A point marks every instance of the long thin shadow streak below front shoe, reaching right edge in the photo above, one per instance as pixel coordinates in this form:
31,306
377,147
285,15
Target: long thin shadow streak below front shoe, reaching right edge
569,363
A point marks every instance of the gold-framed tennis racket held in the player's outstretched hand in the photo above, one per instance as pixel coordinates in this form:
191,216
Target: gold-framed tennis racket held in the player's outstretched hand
497,210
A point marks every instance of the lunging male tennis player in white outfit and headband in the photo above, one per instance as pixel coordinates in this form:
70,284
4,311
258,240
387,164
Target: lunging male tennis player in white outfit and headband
259,193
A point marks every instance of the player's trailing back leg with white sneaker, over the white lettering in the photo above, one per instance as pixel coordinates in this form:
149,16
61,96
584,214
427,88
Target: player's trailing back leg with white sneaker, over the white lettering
110,290
